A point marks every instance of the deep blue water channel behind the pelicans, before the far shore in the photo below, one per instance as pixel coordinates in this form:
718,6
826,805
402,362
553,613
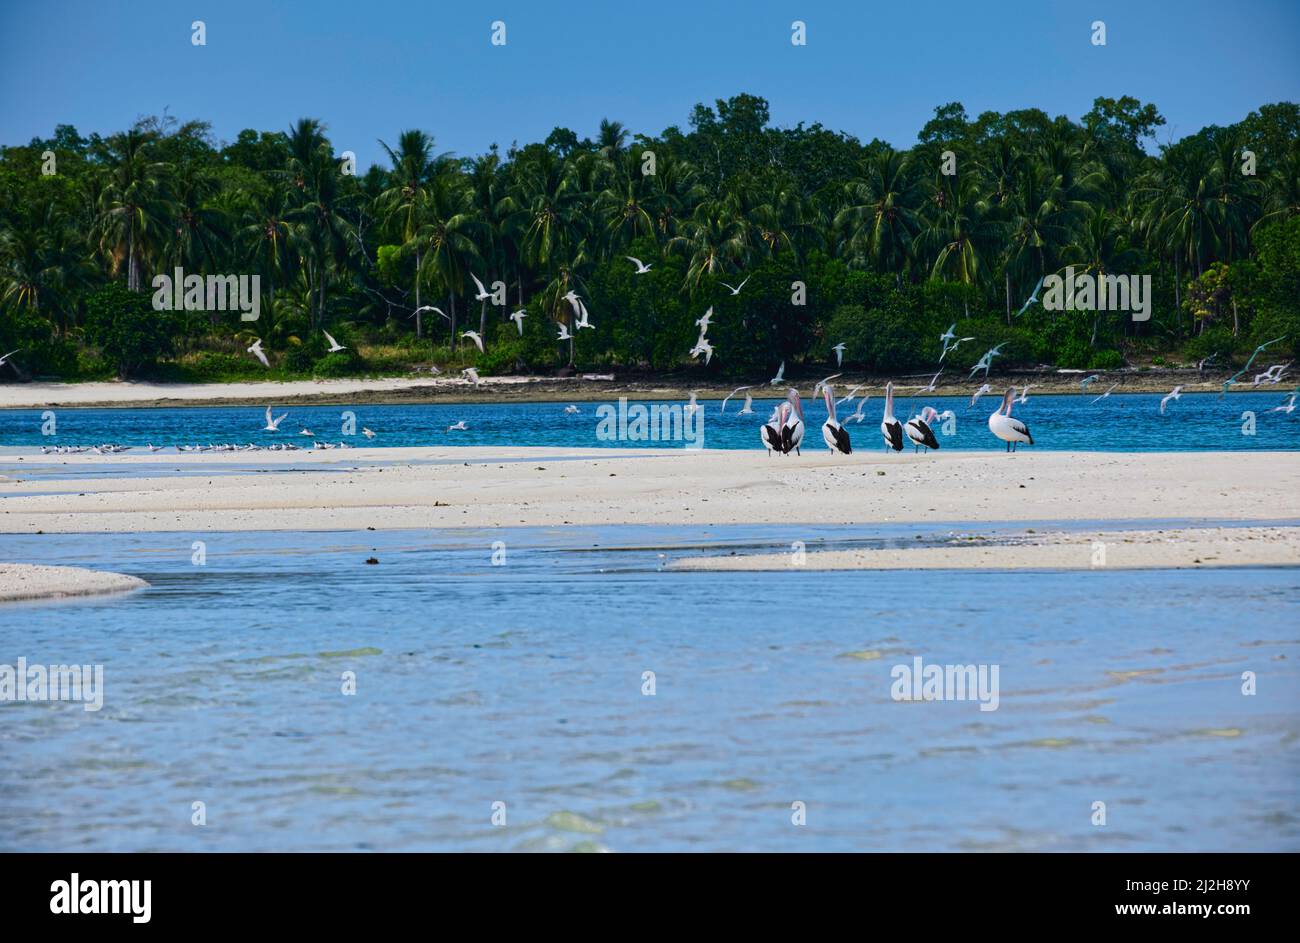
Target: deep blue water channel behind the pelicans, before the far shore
1119,423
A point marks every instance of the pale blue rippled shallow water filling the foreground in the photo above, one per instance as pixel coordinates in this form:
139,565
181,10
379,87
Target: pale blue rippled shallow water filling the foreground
523,684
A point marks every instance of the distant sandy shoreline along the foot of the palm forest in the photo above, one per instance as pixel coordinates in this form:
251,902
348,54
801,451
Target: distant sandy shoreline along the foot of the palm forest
454,390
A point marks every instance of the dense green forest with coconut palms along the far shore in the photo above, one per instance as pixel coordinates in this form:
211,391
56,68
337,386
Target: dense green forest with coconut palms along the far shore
889,246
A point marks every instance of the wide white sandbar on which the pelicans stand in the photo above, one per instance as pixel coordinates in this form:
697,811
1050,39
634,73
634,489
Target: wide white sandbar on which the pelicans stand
479,487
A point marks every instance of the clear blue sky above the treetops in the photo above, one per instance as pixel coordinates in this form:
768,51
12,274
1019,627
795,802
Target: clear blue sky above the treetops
370,68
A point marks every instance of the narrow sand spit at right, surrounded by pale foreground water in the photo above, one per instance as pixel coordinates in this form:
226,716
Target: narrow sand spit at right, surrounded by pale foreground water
1181,548
